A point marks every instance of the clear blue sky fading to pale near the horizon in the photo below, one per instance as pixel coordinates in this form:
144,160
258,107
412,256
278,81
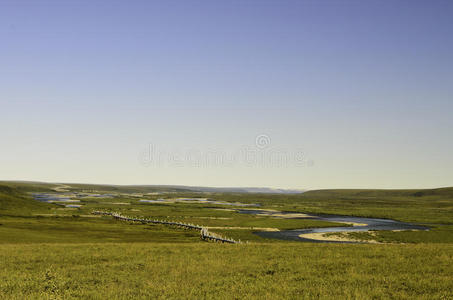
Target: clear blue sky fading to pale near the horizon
354,94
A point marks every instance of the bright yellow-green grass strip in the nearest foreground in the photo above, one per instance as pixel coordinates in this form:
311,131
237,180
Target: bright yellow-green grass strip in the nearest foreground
206,271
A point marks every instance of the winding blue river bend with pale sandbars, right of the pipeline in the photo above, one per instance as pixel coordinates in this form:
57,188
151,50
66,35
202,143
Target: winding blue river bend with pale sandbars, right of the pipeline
359,224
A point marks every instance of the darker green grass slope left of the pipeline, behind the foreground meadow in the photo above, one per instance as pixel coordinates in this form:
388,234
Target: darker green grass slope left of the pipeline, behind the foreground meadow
87,230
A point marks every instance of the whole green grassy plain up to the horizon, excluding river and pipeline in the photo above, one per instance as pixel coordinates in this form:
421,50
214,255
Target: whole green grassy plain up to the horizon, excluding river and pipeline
48,251
